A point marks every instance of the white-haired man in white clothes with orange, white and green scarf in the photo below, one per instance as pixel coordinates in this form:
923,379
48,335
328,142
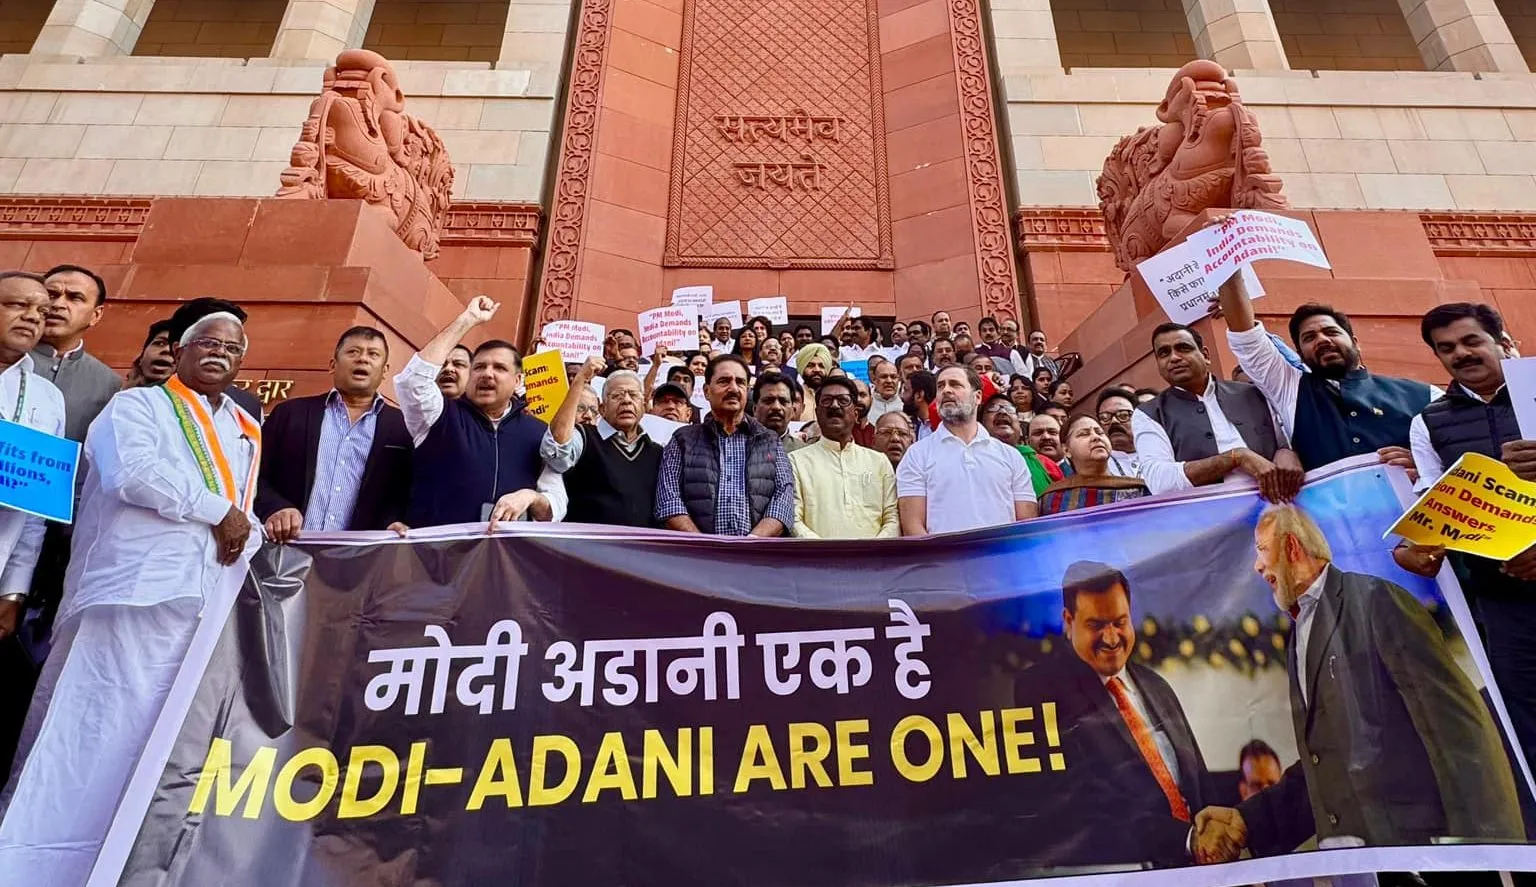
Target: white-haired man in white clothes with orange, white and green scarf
167,511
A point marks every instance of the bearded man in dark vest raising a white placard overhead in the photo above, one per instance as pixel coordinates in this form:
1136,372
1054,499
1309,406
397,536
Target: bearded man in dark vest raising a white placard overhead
1336,408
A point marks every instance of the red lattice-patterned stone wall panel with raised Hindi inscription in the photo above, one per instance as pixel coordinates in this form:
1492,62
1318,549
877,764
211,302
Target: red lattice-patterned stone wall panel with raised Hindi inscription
780,145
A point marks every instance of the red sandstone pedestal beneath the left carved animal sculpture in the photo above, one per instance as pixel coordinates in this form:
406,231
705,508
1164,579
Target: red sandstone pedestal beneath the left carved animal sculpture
305,271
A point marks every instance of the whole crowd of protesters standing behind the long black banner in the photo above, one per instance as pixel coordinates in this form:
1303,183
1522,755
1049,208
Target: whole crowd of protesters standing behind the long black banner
873,431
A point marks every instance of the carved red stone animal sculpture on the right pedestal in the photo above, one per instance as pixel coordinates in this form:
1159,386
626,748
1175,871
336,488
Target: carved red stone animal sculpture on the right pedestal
1208,153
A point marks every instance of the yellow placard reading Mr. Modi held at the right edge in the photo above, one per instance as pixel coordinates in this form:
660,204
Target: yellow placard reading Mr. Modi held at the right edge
1478,508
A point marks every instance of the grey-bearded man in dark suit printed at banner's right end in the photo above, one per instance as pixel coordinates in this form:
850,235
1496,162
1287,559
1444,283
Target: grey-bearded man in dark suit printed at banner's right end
1397,746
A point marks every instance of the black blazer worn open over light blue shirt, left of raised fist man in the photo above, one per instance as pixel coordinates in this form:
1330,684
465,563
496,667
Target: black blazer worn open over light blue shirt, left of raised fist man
290,448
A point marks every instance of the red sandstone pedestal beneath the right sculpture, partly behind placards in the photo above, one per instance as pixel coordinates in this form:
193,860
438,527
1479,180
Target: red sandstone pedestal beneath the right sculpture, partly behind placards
1386,276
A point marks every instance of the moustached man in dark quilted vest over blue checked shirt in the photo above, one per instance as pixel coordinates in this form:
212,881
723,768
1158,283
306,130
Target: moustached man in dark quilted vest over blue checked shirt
730,476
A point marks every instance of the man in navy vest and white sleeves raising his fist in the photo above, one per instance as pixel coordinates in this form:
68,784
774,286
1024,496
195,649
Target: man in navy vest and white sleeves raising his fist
477,456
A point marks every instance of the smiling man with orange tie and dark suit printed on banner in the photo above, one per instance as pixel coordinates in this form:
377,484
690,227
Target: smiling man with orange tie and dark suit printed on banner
1134,772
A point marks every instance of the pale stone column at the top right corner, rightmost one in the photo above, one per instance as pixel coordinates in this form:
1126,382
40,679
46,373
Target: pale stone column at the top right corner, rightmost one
1463,36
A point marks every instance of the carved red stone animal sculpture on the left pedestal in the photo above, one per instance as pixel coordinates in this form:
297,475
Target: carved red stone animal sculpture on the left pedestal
359,144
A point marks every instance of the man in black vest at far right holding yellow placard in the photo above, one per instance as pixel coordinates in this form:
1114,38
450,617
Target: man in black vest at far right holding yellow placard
1477,416
